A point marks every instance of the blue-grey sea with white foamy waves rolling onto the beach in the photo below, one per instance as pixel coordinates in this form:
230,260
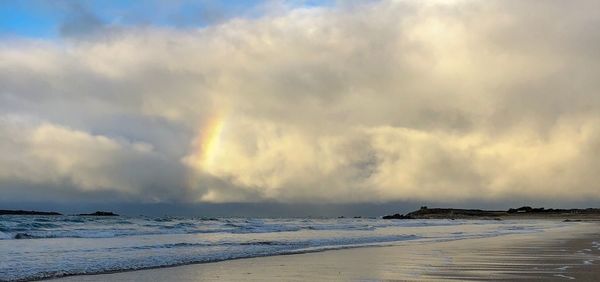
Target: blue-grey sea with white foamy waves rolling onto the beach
34,247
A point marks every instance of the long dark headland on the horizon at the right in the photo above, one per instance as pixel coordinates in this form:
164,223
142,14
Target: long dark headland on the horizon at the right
525,212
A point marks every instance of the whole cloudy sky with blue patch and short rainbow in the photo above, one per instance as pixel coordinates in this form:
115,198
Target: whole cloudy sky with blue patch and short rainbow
299,104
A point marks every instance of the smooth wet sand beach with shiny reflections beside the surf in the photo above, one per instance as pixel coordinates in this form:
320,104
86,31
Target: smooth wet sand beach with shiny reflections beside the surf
569,253
